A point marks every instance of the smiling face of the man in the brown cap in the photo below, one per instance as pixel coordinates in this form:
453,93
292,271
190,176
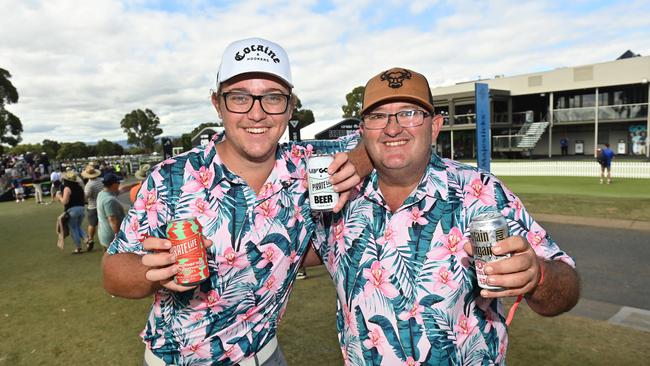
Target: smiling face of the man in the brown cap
400,152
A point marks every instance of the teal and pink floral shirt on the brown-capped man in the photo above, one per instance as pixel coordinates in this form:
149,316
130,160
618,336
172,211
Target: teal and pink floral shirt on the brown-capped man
407,291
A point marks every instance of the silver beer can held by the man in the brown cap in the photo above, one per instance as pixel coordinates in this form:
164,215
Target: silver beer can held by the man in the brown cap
485,231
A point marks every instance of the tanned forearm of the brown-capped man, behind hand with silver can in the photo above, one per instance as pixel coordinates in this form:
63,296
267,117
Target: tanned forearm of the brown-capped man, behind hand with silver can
558,293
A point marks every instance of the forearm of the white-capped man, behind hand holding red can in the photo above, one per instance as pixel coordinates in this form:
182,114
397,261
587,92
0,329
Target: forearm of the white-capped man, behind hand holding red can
124,276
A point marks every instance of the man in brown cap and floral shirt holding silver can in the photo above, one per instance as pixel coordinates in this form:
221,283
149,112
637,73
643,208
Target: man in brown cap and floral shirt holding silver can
399,252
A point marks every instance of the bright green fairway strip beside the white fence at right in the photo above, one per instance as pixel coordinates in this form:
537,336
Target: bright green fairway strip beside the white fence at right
627,199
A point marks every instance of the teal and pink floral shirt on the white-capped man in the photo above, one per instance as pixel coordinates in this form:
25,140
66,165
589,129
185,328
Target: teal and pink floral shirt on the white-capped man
259,241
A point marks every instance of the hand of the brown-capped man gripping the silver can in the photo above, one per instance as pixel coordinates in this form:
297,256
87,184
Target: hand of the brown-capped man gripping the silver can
518,274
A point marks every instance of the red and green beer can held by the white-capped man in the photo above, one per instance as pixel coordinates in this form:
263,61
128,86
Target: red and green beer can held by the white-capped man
186,237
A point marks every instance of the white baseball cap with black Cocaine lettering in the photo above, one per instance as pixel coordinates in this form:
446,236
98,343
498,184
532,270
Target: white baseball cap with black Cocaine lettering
254,55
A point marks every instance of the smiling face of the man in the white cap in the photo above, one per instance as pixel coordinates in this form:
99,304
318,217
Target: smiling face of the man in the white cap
252,136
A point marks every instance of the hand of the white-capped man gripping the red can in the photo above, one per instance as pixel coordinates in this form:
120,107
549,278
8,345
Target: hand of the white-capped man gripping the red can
162,264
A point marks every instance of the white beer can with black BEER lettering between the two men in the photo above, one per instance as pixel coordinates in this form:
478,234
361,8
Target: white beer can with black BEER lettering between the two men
322,196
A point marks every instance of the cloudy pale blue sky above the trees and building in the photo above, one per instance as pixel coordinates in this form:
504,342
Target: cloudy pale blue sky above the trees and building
81,66
